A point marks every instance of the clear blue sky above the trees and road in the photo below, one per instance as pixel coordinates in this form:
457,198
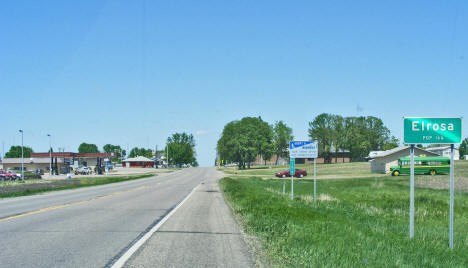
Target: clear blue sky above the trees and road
133,72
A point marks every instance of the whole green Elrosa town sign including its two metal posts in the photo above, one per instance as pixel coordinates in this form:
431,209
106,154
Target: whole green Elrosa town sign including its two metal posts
419,130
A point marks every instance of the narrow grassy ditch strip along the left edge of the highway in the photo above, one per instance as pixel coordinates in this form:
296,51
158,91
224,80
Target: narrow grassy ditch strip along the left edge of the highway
35,188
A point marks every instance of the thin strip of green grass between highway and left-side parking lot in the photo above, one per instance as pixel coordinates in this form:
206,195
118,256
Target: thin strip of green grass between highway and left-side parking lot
83,182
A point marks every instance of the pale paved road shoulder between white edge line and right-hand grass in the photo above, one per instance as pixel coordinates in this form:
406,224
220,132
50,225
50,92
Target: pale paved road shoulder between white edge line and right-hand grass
202,232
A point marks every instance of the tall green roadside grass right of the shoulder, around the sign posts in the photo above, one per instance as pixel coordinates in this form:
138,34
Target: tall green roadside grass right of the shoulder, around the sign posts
355,222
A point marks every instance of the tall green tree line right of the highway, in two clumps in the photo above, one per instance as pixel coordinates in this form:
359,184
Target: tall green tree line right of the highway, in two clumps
243,140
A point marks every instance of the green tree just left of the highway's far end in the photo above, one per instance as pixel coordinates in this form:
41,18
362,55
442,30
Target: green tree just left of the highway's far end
181,149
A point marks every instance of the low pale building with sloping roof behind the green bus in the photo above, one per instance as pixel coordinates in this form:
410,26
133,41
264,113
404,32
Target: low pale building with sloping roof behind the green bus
383,161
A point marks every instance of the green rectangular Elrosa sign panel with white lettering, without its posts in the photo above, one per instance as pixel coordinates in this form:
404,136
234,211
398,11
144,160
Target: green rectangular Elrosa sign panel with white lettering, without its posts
432,130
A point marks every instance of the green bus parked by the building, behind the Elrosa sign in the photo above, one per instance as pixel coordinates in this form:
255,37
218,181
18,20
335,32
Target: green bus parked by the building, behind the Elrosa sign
422,165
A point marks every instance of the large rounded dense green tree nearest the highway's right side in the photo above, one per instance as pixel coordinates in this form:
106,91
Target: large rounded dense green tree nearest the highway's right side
242,141
